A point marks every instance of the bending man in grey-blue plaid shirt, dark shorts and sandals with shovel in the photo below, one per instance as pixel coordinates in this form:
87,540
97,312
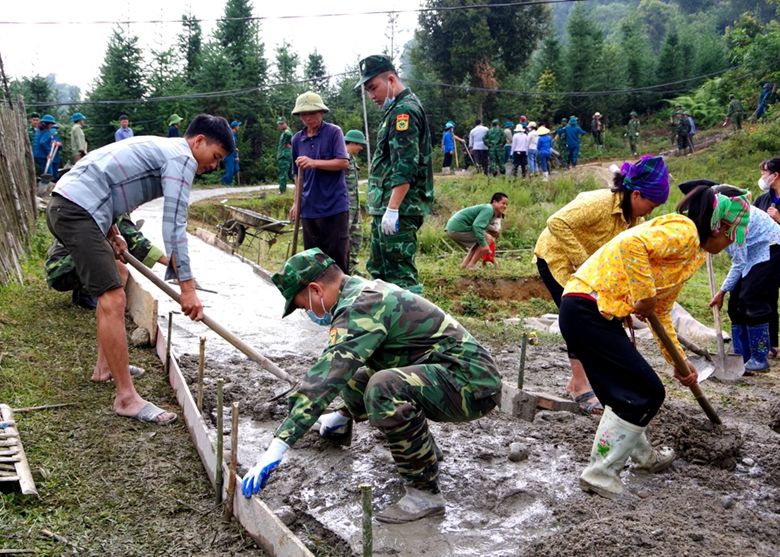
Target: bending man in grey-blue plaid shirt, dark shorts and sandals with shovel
116,179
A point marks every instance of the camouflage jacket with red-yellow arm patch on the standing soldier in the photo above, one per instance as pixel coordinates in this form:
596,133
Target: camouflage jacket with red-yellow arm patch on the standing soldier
402,156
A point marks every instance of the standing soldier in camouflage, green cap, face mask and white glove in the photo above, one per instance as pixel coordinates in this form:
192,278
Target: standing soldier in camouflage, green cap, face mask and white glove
400,181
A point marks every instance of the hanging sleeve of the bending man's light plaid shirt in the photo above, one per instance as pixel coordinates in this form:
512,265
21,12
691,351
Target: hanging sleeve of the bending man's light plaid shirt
177,176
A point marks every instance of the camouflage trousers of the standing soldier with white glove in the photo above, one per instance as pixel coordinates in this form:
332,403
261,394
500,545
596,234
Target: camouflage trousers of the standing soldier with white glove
393,257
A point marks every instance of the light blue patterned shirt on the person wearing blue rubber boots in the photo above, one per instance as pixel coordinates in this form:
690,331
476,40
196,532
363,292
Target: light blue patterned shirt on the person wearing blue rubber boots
762,233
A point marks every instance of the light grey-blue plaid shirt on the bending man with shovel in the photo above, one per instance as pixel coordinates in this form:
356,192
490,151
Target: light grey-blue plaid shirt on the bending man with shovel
119,177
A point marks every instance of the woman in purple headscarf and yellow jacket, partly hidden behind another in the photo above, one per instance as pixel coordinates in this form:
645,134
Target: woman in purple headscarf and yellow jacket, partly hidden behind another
578,229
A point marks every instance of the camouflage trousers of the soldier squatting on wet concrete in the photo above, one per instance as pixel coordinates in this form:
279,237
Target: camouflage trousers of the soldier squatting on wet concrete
398,401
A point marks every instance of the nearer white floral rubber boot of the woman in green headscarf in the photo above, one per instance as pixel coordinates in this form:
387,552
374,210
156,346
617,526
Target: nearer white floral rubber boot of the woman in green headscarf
615,440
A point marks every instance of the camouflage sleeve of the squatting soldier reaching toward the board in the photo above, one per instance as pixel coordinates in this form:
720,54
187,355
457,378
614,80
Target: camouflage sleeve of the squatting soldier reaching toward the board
350,346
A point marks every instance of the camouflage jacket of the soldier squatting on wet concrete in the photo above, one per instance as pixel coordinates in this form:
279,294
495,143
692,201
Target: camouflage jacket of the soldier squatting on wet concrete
381,326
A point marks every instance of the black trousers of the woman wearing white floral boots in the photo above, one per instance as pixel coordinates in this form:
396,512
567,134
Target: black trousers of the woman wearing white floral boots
621,378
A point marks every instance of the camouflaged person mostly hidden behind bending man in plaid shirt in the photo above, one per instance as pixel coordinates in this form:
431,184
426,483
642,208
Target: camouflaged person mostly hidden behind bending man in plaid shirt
61,272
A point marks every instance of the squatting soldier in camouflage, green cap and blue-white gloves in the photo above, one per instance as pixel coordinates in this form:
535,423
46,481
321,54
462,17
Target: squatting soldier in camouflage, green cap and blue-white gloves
396,359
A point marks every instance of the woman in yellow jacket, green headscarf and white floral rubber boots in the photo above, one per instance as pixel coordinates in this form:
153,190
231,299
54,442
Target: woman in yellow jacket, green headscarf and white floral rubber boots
640,271
